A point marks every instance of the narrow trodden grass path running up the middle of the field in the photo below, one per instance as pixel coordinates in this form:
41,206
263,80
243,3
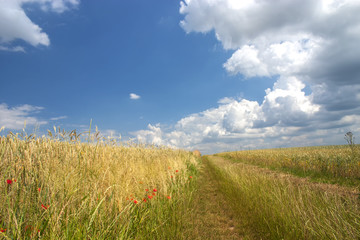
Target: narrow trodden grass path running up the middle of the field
212,217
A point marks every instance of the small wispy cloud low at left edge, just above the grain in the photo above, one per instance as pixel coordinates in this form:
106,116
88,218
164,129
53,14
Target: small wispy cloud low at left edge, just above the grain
15,117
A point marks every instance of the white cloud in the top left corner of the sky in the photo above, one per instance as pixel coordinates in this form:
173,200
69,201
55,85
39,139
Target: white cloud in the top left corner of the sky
15,24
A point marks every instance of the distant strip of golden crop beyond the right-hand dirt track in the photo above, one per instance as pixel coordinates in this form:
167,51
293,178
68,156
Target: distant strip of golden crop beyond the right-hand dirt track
334,164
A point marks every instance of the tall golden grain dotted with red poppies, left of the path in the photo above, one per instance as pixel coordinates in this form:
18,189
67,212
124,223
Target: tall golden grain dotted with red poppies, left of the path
54,188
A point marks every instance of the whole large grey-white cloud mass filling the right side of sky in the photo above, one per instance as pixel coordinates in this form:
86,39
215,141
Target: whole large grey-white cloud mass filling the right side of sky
301,44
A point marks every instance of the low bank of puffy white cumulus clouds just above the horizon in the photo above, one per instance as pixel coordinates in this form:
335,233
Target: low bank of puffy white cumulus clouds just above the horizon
286,117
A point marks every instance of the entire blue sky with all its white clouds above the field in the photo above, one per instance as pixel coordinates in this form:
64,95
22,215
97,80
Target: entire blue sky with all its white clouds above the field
214,75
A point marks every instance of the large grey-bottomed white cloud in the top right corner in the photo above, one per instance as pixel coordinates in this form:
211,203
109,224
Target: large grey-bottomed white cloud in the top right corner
316,39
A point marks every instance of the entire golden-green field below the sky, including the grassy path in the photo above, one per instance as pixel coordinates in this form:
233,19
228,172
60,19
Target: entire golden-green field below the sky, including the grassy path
59,187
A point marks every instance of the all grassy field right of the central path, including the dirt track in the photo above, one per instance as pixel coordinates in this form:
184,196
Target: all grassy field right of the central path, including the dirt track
286,193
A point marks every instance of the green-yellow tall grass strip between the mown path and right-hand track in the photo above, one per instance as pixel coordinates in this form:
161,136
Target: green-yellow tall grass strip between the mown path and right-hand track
277,206
